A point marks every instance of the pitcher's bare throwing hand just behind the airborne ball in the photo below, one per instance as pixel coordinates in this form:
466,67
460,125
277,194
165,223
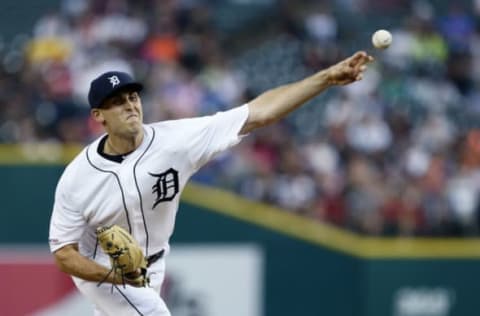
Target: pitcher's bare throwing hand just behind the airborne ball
349,70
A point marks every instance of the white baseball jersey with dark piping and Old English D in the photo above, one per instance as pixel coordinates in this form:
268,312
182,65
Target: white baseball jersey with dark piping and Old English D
142,192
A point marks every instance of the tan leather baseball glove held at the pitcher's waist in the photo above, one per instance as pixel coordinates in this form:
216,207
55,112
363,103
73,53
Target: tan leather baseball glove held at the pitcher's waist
126,257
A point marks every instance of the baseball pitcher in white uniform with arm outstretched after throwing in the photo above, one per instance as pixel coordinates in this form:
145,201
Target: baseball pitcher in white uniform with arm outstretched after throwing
116,202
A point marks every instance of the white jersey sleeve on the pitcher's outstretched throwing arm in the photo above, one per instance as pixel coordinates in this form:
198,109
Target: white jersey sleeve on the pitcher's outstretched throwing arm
215,133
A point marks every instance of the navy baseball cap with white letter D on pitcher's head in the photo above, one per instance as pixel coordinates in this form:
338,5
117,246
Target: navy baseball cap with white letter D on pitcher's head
107,84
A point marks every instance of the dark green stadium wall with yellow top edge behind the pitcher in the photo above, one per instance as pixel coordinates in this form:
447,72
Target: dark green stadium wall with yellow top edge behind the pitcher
311,269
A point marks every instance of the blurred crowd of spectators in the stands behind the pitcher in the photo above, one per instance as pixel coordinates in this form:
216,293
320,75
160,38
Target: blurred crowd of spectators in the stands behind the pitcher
395,154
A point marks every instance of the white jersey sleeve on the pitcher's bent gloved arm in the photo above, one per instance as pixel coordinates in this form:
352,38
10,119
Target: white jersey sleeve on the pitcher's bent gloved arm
67,223
